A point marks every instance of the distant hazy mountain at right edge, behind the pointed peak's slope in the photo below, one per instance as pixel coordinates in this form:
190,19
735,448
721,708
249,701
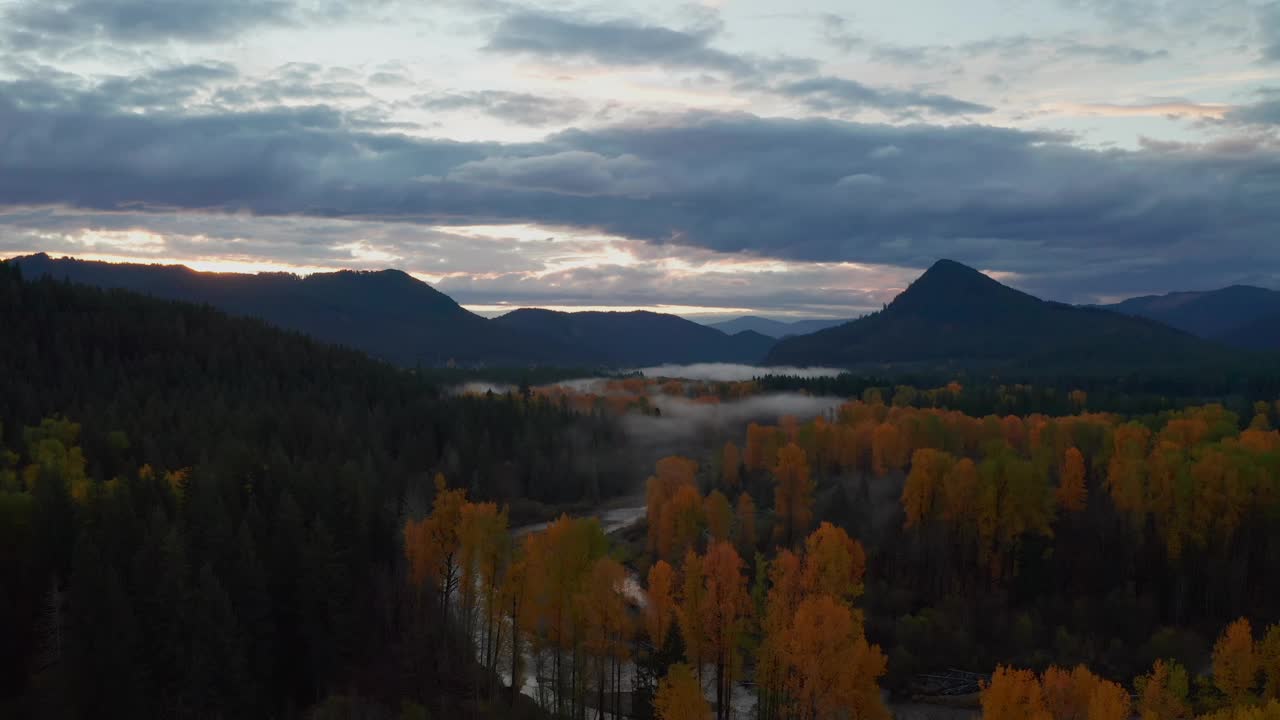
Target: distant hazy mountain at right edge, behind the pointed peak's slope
1219,315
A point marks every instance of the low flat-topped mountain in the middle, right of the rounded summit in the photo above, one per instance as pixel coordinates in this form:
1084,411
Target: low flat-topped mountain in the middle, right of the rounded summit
641,338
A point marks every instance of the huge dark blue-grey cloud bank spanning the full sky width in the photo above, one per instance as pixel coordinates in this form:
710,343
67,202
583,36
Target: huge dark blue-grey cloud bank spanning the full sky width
808,190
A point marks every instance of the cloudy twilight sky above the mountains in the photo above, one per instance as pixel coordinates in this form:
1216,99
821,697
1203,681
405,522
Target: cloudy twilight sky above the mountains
802,160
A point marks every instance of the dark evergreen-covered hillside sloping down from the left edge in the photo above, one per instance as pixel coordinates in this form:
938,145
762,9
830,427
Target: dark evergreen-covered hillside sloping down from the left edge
209,509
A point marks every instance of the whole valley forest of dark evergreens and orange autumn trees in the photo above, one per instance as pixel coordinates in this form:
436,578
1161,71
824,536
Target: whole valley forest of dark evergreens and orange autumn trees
207,517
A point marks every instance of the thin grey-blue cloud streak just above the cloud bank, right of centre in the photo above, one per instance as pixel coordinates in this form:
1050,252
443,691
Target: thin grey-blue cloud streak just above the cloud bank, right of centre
828,94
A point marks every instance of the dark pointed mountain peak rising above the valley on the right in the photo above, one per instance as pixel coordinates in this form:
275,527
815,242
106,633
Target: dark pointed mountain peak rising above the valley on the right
958,317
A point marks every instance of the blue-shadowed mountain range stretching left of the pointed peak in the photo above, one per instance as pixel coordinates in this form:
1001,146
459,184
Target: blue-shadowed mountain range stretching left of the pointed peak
399,318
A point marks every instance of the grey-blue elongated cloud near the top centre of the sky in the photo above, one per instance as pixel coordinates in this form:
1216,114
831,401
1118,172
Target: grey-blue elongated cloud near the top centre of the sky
628,44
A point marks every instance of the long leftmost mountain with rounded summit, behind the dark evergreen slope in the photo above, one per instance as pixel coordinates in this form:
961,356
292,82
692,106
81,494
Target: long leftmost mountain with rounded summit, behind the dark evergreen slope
388,313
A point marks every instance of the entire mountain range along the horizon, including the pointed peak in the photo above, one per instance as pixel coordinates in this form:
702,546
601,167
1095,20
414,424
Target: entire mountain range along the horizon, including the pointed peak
952,317
